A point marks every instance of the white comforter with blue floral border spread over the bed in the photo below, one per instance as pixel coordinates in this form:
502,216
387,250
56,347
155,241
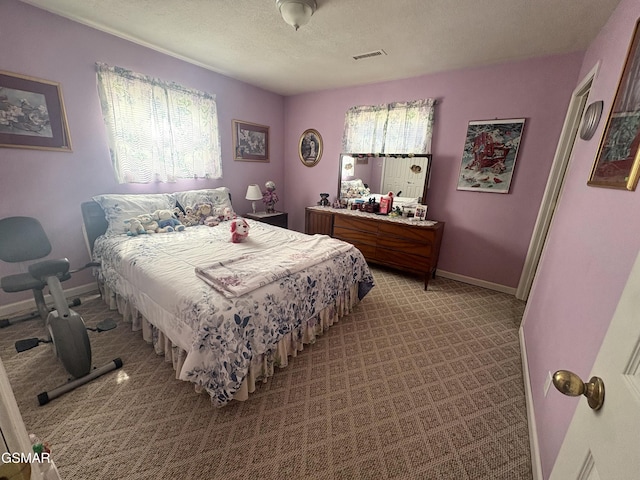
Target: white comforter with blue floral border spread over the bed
156,273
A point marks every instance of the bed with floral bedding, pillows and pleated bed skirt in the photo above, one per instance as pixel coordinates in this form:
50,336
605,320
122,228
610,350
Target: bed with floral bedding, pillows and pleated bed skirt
225,314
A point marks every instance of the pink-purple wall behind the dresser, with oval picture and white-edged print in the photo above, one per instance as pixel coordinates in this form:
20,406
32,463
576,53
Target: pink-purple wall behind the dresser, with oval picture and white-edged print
486,235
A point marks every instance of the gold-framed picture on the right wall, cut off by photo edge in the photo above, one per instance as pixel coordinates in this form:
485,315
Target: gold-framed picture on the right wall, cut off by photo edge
617,163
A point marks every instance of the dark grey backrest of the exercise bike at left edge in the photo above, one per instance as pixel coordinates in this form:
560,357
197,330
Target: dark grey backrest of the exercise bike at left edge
22,239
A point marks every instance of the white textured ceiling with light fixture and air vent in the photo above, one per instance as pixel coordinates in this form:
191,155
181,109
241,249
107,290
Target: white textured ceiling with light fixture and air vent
249,41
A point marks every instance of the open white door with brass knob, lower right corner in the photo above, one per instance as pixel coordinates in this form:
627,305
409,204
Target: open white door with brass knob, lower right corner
605,444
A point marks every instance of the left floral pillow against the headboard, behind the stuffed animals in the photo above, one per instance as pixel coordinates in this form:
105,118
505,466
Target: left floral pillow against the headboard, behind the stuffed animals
118,208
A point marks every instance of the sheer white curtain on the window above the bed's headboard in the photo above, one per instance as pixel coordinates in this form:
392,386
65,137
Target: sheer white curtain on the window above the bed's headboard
158,131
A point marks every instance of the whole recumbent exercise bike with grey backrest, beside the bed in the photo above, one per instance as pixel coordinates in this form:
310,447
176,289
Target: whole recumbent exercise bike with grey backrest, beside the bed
24,239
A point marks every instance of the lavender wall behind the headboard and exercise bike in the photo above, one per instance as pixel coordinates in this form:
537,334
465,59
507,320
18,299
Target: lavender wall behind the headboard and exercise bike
51,185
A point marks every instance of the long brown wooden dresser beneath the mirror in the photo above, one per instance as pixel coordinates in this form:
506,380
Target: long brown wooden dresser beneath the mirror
400,243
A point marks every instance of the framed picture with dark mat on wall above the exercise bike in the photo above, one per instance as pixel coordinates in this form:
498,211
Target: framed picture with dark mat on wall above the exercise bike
32,113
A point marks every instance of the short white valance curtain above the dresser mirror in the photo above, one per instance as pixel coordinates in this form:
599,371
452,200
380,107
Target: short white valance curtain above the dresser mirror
401,127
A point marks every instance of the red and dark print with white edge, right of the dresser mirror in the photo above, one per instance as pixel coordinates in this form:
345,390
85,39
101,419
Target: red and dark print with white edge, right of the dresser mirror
490,153
